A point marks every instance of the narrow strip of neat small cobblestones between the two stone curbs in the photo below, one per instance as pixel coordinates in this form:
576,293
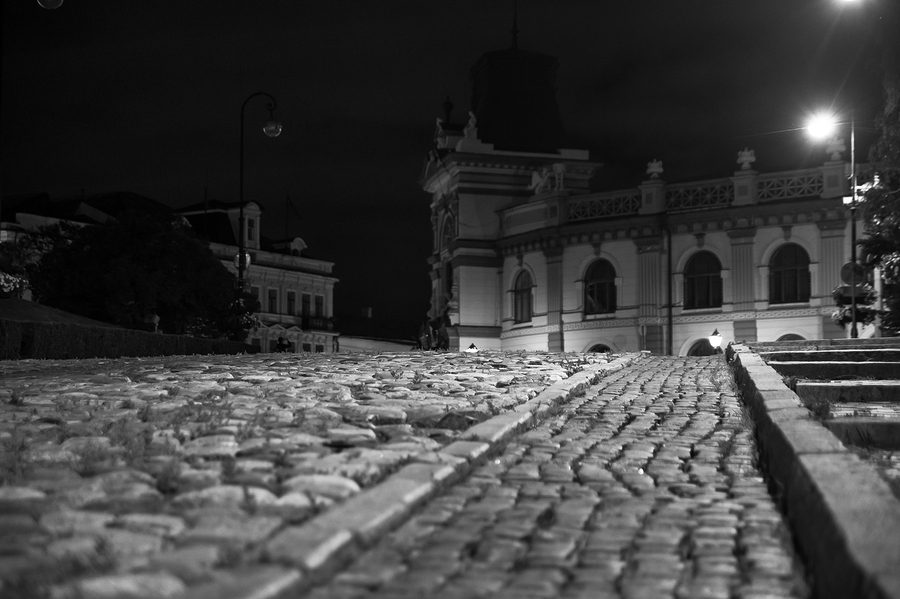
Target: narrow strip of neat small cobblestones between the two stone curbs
644,487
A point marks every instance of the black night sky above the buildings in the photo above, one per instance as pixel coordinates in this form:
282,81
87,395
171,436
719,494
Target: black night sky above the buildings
145,95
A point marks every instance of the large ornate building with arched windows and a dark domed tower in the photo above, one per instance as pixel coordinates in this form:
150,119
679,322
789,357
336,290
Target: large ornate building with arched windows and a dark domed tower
527,256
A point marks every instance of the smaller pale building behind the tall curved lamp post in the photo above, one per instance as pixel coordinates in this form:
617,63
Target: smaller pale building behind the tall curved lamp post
295,292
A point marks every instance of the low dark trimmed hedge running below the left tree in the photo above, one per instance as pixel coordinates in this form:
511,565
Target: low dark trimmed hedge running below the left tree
21,340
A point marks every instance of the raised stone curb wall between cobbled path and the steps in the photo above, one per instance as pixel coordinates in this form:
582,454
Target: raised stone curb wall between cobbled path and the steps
843,514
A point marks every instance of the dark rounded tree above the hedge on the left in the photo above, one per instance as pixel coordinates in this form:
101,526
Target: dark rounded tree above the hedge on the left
141,265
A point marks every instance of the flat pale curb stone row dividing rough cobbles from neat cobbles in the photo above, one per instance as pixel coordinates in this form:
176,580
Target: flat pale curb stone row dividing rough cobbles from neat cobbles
315,550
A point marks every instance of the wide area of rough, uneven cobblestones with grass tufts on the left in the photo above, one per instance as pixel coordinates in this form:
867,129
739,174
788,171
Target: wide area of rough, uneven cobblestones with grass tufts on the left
148,477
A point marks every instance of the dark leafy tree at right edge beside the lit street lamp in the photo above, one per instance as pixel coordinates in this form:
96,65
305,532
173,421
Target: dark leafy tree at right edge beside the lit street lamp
881,246
